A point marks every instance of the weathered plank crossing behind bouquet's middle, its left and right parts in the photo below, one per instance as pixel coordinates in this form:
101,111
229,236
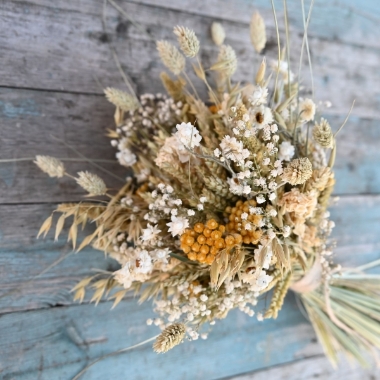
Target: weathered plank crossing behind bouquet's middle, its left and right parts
30,118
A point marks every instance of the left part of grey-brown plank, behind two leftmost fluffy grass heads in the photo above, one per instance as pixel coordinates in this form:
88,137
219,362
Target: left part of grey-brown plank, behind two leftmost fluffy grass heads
30,122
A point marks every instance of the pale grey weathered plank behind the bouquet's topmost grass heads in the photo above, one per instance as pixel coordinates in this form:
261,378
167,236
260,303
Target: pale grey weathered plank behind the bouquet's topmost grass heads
77,56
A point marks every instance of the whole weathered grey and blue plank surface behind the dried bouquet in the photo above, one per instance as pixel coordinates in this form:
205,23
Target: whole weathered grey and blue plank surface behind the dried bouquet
55,60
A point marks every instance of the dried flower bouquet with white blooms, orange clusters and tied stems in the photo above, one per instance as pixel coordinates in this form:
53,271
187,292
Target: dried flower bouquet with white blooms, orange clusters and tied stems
226,201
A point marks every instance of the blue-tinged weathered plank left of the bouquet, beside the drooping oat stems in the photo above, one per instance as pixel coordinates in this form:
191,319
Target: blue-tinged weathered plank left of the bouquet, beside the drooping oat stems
23,259
